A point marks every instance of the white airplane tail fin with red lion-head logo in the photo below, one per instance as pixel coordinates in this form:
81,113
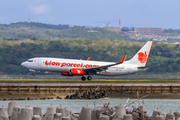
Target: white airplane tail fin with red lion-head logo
142,55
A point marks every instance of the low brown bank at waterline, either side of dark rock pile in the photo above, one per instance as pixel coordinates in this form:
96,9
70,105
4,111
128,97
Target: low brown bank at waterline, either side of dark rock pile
10,96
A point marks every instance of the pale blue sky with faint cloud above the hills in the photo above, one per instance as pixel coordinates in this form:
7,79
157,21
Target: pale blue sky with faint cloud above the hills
136,13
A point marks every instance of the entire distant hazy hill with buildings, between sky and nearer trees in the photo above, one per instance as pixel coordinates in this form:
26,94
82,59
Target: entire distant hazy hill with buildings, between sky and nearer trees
42,31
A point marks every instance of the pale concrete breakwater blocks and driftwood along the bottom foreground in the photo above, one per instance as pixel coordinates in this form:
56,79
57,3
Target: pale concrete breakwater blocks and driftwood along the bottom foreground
129,111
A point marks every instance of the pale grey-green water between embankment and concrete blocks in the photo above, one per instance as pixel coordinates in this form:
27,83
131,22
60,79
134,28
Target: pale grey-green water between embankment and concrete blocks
164,105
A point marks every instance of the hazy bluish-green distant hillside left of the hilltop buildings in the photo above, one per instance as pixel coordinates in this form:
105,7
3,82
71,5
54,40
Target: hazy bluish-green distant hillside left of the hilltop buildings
40,31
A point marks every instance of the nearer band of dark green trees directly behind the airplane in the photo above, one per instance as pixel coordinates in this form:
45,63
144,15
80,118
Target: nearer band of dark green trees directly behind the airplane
14,52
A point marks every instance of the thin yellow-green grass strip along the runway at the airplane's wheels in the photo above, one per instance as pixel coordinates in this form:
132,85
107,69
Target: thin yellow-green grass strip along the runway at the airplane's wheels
91,80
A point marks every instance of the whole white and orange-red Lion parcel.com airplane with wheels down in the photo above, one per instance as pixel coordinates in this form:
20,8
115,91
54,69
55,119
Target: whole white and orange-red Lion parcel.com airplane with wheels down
74,67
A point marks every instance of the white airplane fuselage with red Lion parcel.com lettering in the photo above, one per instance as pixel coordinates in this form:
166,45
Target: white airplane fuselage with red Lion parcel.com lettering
64,66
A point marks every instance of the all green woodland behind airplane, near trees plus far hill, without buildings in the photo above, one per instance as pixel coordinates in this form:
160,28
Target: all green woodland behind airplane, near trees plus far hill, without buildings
21,41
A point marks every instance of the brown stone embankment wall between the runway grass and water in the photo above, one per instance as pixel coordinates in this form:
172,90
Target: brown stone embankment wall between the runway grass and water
32,90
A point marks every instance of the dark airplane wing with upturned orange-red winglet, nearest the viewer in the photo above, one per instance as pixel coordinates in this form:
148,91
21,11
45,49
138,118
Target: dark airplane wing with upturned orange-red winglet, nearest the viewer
102,68
